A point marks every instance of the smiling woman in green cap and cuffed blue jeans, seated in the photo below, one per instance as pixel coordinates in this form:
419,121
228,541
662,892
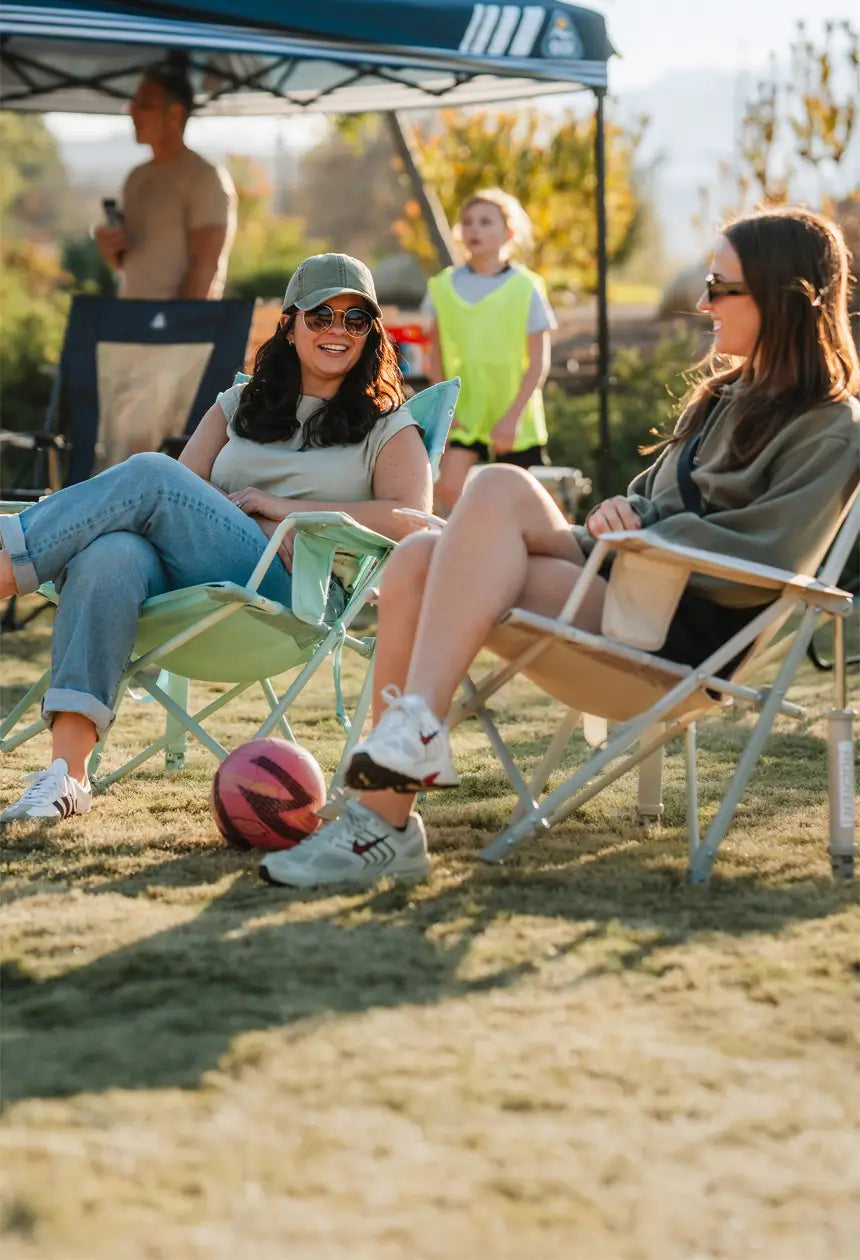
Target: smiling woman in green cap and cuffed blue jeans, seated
319,423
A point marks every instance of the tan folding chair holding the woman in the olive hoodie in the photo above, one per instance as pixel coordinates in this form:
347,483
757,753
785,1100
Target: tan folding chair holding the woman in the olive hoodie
616,676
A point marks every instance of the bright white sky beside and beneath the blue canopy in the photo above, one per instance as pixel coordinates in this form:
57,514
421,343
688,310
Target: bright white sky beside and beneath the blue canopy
654,38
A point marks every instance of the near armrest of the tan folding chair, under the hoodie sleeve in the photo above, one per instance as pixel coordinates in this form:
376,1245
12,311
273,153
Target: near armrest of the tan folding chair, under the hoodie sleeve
808,589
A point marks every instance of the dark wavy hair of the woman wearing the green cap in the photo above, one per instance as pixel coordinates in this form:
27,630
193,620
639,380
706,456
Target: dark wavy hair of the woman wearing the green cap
371,390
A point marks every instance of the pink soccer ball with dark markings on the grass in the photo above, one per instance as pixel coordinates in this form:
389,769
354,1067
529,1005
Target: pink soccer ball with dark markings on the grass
266,794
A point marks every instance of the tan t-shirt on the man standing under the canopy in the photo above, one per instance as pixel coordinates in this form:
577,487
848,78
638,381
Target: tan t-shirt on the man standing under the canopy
162,203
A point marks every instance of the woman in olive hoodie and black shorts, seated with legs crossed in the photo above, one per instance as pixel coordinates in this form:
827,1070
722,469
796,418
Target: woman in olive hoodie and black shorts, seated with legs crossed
764,459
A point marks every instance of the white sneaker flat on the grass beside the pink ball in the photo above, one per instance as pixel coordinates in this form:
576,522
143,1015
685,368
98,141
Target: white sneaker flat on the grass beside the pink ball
359,847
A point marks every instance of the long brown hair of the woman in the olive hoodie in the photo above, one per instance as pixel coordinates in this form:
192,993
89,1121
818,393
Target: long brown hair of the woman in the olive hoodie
796,266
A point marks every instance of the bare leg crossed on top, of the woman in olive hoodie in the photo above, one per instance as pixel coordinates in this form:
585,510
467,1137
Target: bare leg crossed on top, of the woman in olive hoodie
506,544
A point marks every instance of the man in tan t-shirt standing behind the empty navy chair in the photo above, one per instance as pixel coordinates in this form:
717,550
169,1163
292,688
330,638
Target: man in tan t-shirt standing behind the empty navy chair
178,210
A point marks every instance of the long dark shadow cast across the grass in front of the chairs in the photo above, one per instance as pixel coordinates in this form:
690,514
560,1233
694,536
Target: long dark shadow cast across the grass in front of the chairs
166,1011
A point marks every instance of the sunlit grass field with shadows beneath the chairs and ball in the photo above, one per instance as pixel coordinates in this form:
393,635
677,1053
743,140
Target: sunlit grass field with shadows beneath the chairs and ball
574,1057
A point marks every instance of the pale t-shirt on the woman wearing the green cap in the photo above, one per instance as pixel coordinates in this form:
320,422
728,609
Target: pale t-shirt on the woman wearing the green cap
343,474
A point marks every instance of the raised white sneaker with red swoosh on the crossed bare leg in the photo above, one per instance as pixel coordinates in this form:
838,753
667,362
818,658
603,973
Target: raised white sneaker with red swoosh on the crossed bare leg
410,750
